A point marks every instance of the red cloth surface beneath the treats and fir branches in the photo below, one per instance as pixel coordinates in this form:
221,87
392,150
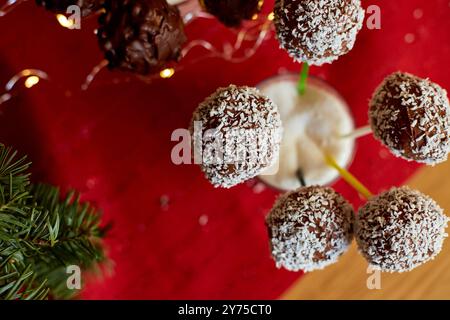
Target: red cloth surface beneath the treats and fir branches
113,144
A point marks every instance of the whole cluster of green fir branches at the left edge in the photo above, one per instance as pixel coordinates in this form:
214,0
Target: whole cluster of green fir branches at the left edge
41,235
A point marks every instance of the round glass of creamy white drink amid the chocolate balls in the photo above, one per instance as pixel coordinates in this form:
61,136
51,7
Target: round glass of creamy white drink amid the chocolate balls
314,125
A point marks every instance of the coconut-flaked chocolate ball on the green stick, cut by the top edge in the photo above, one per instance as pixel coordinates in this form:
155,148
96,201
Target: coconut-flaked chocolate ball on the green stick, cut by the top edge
317,32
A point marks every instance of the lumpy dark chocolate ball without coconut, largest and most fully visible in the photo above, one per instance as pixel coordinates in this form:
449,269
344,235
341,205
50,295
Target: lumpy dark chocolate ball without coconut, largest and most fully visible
141,36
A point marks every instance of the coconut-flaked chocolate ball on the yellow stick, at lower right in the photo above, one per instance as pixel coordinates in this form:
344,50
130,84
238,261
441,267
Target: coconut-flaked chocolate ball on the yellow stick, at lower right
400,229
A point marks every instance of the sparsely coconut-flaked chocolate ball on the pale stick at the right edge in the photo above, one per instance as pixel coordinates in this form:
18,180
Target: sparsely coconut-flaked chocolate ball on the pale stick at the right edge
411,117
